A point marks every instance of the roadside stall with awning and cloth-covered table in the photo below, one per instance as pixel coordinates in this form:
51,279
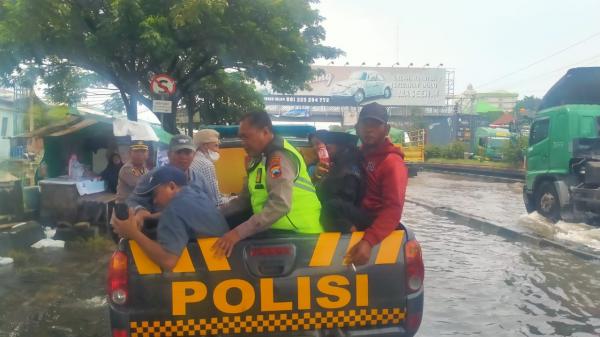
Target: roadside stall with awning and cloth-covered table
76,151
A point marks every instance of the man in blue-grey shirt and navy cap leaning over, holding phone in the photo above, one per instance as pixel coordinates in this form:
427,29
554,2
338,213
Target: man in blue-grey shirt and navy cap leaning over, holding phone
186,213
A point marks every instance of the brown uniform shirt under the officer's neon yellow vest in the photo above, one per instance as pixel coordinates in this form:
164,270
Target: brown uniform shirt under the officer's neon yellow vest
281,171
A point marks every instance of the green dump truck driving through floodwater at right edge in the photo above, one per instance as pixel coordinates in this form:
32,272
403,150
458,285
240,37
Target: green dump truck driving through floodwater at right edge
563,158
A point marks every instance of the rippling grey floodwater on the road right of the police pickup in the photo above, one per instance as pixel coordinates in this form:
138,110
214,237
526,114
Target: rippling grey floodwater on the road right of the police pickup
484,285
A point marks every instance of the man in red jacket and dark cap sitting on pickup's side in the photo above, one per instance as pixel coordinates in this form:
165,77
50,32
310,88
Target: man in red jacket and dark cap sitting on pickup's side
386,177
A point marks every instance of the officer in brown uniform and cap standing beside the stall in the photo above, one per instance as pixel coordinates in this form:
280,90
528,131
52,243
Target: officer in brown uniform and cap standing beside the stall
130,173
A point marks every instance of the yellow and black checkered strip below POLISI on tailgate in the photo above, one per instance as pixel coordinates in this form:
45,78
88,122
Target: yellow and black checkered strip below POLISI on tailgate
282,322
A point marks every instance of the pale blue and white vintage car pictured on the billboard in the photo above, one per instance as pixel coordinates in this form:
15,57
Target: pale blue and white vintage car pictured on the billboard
361,86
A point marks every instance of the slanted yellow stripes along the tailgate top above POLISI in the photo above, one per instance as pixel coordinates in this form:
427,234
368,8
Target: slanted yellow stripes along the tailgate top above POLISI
323,254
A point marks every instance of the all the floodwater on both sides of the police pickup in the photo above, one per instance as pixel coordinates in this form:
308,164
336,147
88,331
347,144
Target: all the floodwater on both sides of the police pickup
477,284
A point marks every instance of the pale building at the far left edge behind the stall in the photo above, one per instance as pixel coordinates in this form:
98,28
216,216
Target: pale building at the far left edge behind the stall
11,122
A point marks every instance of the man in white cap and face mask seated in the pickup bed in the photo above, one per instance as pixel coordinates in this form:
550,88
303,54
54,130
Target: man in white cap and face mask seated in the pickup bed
207,145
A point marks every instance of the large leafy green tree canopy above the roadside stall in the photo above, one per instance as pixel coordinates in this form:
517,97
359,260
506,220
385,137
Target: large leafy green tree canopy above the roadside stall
126,42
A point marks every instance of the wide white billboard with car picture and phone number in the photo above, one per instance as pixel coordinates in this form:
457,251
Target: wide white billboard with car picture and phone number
354,86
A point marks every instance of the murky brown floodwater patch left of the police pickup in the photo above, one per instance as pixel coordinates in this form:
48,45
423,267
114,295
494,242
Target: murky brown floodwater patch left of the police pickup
54,292
